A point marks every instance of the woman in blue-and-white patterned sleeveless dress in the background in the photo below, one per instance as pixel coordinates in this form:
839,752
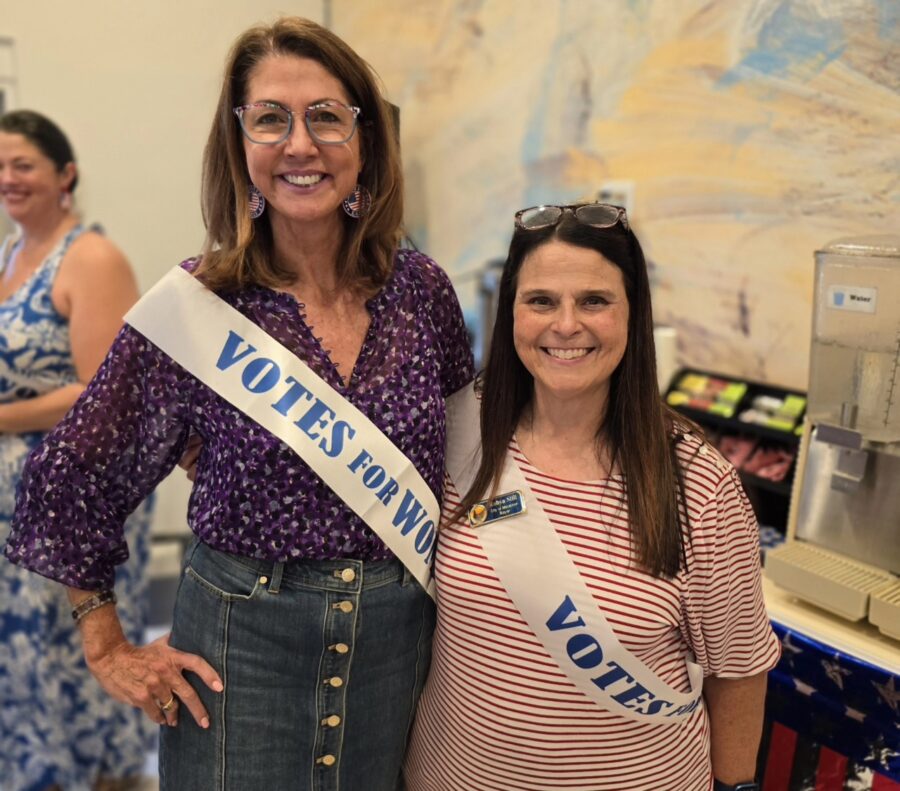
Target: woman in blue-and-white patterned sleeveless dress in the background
63,290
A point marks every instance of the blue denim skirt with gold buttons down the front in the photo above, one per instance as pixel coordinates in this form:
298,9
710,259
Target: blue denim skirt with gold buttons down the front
322,661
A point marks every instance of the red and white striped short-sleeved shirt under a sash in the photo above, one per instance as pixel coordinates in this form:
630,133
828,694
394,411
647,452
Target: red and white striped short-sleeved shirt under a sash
498,714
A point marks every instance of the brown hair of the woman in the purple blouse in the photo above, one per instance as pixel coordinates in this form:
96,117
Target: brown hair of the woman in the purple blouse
238,250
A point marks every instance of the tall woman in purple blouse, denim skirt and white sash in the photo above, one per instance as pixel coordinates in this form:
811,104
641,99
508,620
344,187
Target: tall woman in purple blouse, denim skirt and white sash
310,356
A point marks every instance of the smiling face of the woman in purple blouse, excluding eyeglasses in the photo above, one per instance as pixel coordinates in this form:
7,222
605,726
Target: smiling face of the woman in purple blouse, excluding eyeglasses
303,182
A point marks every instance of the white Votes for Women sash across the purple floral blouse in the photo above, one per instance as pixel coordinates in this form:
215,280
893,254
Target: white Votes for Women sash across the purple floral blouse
260,377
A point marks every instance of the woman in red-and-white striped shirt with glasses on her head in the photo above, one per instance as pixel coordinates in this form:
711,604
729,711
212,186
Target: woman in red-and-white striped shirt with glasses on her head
600,619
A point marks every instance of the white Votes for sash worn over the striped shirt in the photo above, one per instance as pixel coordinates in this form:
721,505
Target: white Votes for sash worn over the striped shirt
544,583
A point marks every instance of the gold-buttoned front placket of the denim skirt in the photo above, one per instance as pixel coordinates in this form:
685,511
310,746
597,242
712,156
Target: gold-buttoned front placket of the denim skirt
339,630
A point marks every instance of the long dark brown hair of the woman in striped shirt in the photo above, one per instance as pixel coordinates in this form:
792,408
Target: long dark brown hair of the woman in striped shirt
636,426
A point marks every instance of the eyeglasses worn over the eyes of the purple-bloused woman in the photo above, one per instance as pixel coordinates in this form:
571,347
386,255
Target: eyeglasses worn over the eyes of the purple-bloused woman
329,123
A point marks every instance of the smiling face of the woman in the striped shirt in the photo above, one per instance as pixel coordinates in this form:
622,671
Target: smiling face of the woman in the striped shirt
570,320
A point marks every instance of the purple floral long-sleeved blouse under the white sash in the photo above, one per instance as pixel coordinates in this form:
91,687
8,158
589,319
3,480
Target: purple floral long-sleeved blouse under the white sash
252,496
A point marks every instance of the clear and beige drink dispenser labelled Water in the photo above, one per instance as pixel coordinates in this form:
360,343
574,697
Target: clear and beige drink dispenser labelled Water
843,548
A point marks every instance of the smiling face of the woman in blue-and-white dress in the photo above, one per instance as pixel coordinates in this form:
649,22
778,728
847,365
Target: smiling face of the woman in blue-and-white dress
30,184
